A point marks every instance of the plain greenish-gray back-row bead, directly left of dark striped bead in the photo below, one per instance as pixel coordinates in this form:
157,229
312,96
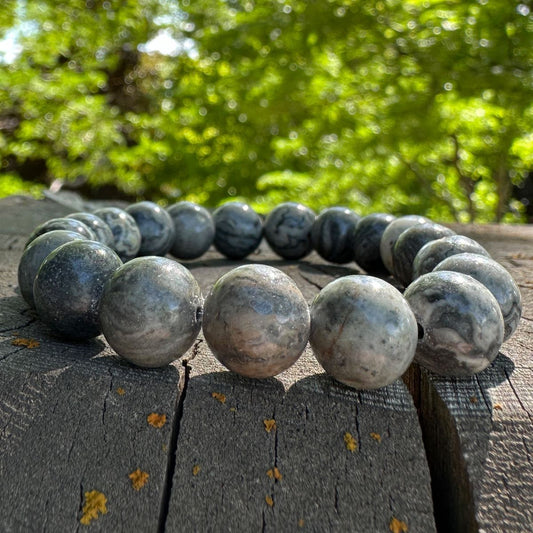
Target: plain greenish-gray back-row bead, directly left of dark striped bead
194,230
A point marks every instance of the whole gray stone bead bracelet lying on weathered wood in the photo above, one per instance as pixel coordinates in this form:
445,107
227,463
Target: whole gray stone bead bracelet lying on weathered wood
452,318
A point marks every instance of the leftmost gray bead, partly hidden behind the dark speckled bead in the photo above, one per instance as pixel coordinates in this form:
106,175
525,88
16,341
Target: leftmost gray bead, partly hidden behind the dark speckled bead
34,255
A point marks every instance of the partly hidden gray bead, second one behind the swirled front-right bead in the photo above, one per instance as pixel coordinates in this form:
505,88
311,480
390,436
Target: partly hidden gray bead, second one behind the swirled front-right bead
432,253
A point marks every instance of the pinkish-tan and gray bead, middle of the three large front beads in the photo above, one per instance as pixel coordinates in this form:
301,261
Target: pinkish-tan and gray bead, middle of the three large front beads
256,321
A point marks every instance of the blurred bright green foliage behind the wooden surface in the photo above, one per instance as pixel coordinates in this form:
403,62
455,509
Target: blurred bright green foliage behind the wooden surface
399,106
